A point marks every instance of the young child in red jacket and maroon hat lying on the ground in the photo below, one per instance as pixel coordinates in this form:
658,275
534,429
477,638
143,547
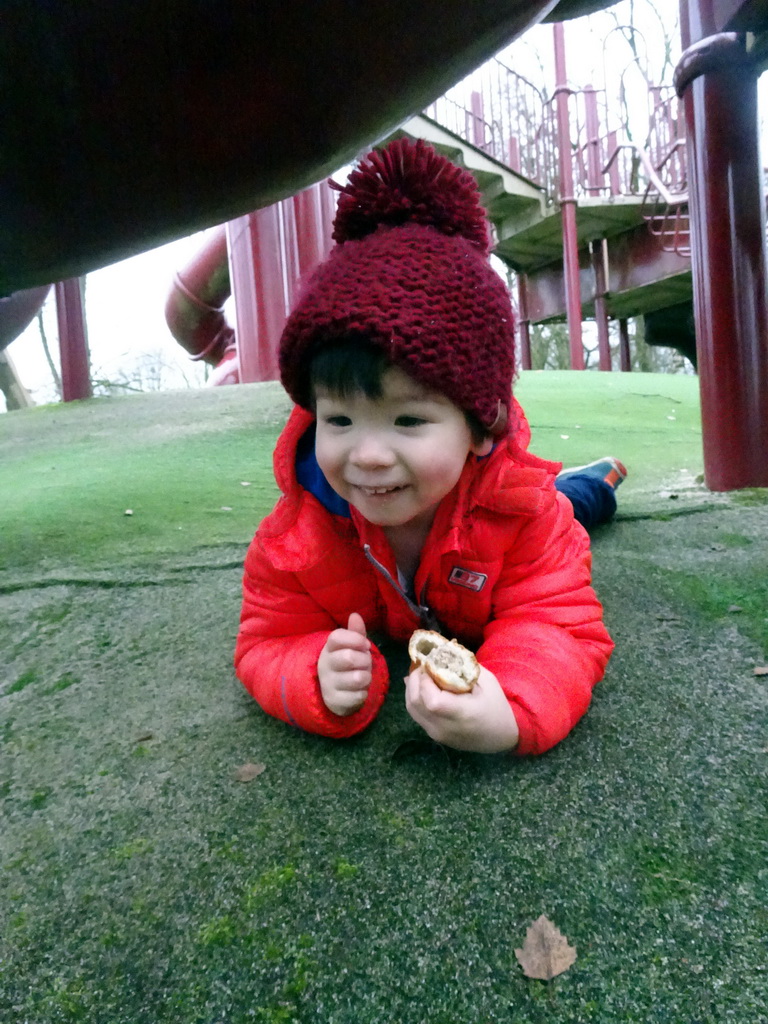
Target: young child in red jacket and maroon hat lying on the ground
409,497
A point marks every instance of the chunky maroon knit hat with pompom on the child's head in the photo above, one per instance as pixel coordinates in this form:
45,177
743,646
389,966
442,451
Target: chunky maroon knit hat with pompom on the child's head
411,273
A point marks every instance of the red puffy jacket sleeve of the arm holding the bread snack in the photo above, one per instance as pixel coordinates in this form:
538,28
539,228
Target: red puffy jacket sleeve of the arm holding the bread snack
546,644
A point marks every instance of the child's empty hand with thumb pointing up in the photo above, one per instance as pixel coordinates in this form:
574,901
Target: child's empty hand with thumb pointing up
345,668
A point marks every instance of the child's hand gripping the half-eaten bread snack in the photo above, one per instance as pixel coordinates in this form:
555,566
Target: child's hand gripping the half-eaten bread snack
481,721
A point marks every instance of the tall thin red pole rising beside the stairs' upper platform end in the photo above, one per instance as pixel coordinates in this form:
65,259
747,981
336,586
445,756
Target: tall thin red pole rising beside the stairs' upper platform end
568,205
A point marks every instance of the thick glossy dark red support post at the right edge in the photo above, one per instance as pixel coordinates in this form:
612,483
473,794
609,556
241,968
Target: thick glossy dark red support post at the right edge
719,88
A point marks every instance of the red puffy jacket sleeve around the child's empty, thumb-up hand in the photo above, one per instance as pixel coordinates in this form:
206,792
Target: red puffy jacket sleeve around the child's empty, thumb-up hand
282,633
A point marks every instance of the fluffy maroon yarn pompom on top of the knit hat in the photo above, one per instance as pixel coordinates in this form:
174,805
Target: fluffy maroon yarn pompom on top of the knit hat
410,183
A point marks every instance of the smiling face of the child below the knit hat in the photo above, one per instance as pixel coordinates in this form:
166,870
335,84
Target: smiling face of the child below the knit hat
397,457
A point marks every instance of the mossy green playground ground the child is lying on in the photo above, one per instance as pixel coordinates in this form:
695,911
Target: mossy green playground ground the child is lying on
382,880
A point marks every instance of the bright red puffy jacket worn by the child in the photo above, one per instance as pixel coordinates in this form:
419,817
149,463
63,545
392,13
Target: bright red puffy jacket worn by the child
505,570
